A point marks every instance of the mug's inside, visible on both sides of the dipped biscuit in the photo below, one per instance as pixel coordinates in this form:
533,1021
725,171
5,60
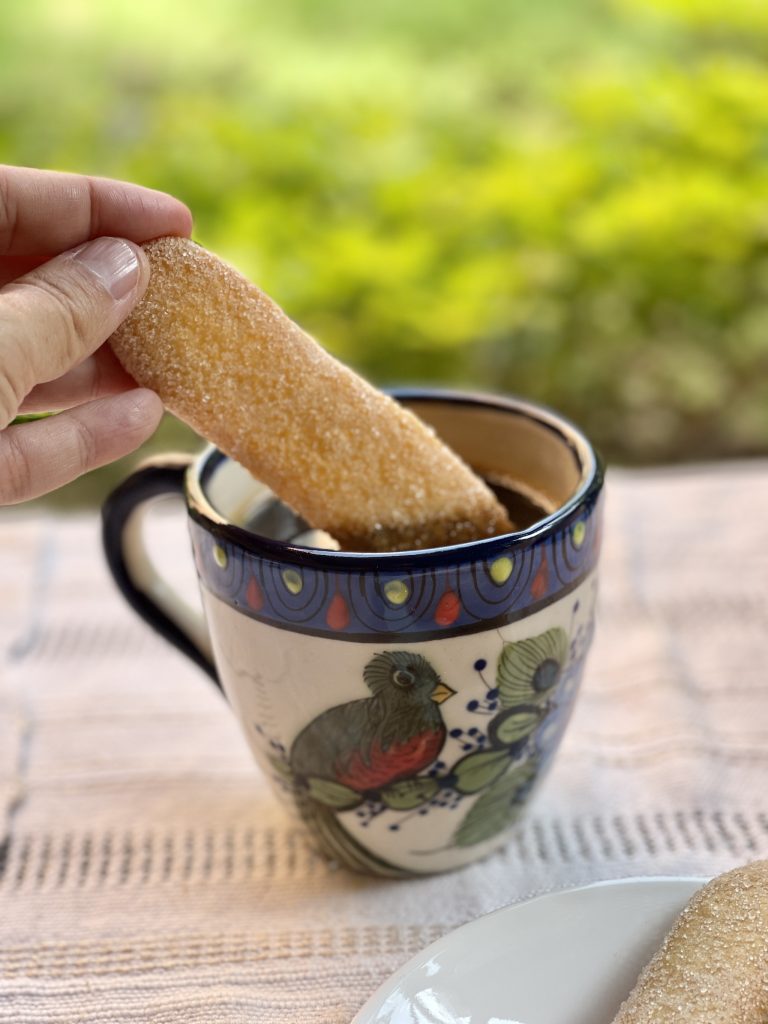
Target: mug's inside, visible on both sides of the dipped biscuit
509,443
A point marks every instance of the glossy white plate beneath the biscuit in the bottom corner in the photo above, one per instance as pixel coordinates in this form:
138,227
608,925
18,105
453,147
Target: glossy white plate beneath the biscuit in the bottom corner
568,958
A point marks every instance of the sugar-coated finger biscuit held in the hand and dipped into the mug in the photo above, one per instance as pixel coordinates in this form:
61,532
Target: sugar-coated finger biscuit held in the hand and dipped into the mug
228,361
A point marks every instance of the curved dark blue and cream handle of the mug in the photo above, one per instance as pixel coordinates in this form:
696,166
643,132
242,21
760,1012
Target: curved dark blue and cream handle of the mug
143,587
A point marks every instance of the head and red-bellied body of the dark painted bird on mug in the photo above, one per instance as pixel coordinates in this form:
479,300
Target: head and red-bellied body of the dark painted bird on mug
396,734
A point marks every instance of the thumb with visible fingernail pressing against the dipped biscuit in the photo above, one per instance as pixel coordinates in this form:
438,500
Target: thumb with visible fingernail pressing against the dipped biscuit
59,315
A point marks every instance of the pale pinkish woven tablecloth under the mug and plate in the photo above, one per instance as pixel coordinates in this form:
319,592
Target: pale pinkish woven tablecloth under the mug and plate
148,875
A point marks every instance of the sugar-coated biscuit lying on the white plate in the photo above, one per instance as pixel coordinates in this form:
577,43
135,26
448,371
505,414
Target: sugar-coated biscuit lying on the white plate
713,967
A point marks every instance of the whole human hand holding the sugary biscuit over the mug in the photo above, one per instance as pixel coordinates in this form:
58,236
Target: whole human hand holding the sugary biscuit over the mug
70,273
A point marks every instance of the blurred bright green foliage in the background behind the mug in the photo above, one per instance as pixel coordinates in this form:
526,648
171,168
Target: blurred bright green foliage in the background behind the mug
564,201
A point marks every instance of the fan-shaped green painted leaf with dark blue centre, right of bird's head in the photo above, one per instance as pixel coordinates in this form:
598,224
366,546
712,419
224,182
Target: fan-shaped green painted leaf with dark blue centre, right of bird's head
529,670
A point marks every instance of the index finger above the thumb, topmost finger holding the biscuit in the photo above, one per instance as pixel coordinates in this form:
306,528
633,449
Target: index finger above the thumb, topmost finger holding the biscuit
48,212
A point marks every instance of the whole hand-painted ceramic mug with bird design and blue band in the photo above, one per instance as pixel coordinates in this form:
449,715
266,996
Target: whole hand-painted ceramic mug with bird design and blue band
407,704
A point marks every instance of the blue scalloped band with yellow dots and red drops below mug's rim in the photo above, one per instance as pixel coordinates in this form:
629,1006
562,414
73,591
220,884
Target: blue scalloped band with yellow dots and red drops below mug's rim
381,601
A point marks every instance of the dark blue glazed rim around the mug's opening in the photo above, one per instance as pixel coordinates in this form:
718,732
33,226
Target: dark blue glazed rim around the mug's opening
203,511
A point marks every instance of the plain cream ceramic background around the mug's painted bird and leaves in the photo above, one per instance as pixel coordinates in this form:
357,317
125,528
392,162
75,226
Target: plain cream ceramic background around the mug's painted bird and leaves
278,682
